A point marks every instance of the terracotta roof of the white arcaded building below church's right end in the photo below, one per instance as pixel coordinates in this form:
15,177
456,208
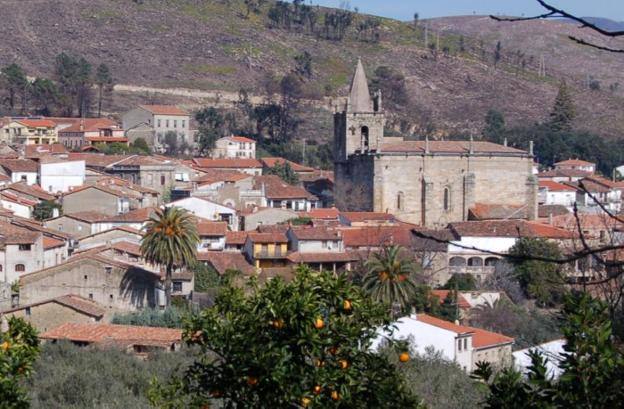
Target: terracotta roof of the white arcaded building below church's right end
509,228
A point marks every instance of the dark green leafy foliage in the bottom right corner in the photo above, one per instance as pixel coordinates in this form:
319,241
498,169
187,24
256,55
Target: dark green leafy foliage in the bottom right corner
593,366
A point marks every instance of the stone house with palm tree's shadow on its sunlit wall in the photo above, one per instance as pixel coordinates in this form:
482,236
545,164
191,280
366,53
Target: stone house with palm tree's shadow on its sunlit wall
114,284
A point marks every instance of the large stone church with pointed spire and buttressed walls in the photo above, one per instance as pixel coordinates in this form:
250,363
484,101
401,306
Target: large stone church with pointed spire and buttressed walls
429,183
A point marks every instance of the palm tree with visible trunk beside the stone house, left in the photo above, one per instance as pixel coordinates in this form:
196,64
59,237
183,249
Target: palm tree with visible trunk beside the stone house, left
170,240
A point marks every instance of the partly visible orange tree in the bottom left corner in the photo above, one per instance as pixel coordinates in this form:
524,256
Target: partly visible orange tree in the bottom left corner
19,347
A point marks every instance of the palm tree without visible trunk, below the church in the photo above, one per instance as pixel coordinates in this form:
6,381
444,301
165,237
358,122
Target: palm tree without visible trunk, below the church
390,278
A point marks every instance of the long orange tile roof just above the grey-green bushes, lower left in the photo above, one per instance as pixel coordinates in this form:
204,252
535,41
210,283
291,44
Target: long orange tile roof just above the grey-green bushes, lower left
99,333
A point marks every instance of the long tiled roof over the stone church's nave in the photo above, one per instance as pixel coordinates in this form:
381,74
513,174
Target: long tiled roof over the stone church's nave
450,147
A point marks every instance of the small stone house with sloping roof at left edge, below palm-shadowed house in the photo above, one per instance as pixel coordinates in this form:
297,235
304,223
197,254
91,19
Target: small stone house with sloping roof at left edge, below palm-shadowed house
49,314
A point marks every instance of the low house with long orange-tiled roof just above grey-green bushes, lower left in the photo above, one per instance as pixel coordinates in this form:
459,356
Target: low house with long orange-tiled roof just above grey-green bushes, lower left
133,339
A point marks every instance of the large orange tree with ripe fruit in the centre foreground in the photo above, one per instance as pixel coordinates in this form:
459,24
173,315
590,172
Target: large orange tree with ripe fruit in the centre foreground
305,343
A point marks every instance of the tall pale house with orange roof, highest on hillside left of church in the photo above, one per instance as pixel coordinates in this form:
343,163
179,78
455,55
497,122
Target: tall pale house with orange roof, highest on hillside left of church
153,122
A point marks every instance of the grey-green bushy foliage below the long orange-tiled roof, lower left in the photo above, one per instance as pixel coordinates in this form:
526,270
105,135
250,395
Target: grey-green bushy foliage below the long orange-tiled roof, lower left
67,376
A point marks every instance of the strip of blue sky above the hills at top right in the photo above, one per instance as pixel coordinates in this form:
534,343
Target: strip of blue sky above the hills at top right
405,9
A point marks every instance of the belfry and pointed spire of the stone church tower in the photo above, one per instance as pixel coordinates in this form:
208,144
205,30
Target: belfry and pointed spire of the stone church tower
359,127
